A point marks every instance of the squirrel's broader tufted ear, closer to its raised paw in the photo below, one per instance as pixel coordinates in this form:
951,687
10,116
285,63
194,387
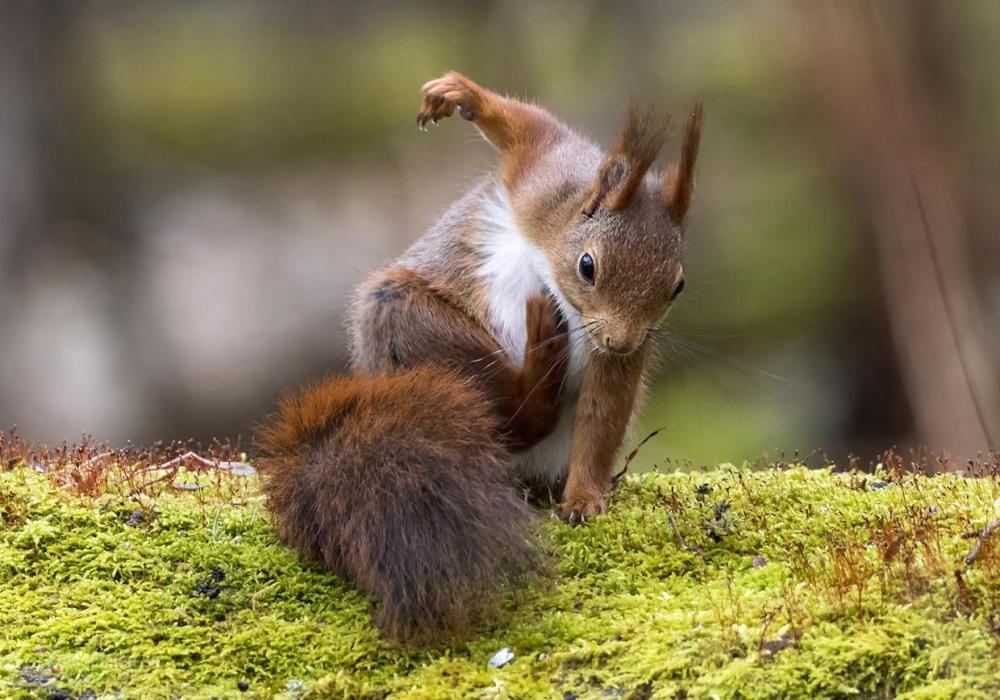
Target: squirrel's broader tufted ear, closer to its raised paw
623,168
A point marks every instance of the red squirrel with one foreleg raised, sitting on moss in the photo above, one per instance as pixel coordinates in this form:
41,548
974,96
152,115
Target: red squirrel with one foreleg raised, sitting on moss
508,346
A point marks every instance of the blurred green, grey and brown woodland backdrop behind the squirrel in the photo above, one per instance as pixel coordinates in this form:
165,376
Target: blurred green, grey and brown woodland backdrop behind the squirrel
189,190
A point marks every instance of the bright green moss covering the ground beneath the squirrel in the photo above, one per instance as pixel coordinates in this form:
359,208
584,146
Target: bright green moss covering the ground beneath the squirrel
853,592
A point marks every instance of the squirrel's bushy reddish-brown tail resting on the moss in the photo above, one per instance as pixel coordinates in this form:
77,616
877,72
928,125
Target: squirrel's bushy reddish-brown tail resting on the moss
397,483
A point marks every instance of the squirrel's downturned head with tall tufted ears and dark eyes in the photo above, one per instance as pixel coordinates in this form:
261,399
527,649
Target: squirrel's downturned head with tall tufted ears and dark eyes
618,262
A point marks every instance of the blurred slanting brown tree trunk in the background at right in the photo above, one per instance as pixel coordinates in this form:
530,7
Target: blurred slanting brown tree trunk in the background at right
895,154
